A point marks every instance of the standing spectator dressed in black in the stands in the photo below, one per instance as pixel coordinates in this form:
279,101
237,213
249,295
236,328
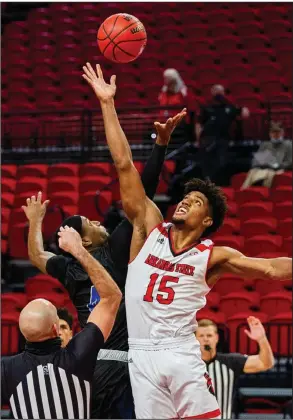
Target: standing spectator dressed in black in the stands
212,132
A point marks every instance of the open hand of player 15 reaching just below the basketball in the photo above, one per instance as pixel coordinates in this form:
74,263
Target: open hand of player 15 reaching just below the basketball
95,79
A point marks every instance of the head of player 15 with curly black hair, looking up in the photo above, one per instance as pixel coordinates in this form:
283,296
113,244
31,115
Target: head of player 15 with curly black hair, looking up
203,207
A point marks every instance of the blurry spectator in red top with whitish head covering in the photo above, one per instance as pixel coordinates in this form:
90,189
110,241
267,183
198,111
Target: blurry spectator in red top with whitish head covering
174,92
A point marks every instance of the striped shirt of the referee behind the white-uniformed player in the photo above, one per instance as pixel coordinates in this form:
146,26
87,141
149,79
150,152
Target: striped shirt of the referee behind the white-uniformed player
224,370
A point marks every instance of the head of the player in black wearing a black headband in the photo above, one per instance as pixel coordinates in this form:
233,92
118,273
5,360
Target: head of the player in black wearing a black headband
93,234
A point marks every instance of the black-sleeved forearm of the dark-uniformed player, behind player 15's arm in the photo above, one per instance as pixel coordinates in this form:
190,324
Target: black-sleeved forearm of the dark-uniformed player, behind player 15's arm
151,173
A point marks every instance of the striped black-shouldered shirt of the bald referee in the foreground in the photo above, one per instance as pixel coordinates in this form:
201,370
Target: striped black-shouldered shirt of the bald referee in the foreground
47,382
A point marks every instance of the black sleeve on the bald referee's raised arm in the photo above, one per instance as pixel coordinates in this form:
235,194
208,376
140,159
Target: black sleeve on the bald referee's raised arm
85,347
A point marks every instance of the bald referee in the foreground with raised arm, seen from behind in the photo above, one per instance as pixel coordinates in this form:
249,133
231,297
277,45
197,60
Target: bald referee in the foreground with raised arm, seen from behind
46,381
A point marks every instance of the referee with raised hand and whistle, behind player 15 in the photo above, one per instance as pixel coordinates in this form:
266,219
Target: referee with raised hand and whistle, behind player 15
224,369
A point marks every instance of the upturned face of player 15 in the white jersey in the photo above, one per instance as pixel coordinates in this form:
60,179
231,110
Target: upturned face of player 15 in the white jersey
193,211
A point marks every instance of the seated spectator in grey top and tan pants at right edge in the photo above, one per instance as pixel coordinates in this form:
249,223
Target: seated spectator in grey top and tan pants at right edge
272,157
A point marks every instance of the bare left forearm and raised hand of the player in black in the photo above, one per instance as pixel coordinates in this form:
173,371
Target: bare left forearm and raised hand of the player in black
35,211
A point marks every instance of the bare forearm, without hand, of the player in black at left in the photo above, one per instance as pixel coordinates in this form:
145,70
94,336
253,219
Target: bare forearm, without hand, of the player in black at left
37,255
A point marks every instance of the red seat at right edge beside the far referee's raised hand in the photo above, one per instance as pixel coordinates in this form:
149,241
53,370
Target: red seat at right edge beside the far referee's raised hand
280,333
